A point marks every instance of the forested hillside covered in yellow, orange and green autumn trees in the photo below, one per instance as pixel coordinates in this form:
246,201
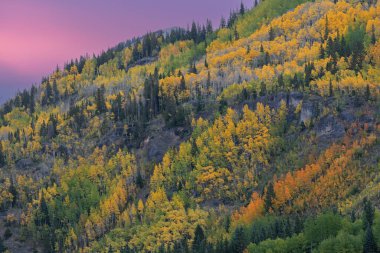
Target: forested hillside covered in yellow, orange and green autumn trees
258,135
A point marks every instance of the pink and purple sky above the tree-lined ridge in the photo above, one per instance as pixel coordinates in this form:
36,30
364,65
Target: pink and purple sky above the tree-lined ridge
38,35
